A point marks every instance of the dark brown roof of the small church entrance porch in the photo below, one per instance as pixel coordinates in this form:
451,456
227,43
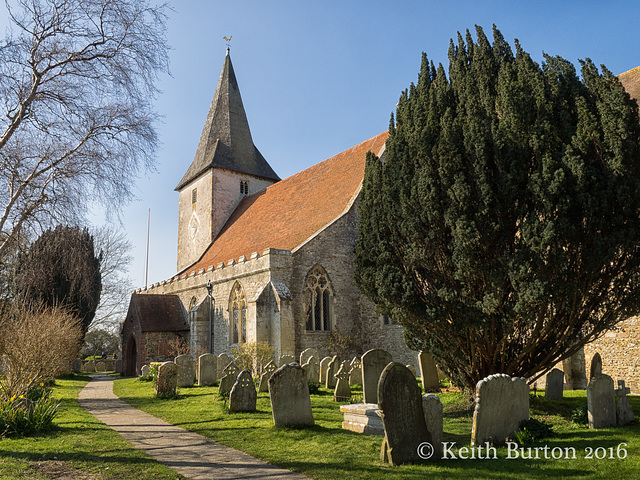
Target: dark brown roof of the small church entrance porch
157,313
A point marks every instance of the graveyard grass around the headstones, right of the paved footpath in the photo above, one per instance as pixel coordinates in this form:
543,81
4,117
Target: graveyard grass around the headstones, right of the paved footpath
326,451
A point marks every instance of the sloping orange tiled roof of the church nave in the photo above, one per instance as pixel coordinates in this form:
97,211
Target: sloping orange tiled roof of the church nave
287,213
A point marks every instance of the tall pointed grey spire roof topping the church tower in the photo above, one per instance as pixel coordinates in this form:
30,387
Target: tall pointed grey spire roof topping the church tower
226,139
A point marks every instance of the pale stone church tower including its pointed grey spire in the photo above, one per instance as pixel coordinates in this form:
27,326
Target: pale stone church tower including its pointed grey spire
227,167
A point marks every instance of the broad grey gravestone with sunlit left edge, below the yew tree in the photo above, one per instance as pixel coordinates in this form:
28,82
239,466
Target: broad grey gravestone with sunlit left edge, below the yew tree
502,402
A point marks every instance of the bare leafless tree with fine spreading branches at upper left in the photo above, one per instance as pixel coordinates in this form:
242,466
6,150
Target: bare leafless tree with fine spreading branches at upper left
76,82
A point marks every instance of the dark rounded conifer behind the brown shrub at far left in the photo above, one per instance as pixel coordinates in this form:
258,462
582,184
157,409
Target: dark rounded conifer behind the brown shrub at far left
61,268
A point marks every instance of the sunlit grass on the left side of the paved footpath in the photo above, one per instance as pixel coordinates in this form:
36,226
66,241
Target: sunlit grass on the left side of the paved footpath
78,447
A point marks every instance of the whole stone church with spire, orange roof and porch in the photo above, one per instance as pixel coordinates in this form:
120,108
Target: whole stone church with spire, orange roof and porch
277,256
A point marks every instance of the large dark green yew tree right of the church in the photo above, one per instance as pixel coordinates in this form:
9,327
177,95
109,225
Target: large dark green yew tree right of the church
502,226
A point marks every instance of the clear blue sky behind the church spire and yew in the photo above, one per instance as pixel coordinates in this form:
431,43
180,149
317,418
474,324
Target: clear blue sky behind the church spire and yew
319,77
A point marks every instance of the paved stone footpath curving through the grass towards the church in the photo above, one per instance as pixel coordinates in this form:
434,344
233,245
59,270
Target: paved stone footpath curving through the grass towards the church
189,454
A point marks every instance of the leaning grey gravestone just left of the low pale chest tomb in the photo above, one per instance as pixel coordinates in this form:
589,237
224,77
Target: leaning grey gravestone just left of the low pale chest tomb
289,395
